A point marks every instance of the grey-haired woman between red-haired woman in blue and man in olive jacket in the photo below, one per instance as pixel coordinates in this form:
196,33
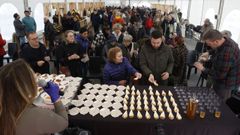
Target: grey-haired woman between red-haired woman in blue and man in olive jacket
130,49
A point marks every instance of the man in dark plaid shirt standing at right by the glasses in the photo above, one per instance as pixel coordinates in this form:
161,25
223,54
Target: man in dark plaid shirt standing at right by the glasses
225,70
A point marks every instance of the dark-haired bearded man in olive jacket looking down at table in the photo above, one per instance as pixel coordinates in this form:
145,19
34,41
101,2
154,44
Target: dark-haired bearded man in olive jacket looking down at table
156,60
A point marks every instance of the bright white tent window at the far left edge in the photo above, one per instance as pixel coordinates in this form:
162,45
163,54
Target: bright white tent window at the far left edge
6,22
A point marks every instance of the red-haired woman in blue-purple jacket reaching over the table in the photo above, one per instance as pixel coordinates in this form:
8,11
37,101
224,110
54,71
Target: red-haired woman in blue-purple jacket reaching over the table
118,70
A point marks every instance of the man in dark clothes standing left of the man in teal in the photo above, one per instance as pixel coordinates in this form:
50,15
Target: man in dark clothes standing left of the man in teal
19,29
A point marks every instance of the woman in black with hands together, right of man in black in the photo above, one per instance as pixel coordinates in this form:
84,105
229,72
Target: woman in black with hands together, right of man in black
69,54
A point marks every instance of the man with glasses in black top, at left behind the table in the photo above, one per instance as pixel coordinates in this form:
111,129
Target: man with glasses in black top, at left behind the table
35,54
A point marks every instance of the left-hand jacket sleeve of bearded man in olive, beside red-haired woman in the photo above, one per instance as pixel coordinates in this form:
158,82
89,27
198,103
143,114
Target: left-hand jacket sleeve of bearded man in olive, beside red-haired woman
143,63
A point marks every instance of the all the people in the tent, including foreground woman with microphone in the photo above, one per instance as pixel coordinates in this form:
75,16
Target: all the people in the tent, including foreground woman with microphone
133,43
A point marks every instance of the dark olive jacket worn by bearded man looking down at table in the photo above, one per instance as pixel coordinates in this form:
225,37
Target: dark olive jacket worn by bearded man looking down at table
156,61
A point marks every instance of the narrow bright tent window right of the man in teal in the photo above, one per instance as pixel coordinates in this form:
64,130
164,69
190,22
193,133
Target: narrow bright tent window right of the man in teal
38,16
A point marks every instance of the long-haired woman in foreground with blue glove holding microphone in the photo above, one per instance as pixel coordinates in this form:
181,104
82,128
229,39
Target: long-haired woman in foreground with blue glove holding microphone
18,114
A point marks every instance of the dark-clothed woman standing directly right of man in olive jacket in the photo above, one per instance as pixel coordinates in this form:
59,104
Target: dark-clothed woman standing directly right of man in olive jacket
180,55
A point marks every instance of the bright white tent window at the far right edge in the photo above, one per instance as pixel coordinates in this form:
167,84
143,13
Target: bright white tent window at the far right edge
231,23
